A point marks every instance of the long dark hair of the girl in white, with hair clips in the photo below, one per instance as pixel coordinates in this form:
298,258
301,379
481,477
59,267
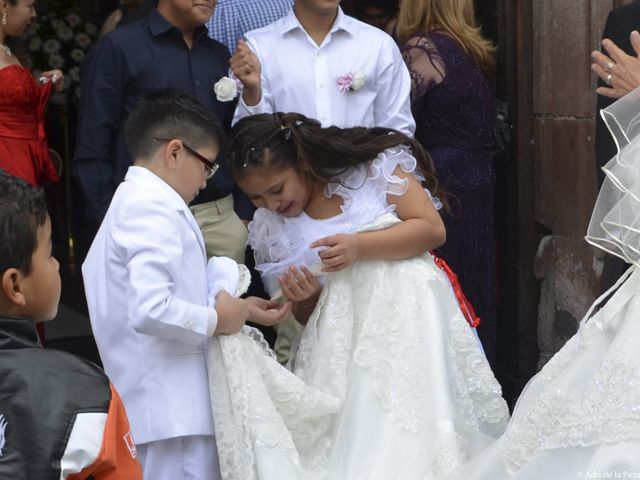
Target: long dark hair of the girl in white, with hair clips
281,140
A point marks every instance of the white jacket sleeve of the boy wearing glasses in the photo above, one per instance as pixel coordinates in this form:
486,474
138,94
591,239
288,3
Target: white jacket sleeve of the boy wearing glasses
154,267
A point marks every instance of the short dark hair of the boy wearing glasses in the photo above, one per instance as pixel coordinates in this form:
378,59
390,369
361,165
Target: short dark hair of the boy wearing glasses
170,113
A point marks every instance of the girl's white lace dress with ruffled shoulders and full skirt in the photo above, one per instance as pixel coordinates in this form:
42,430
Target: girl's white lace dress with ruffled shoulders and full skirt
389,381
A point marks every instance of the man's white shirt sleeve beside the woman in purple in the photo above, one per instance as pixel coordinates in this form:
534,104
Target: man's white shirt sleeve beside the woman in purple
392,106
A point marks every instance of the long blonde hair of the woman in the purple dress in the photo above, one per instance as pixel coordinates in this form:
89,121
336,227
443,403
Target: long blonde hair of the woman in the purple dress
456,18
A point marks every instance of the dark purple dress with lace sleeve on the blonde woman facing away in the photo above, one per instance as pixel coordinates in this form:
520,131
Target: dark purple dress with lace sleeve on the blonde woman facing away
453,104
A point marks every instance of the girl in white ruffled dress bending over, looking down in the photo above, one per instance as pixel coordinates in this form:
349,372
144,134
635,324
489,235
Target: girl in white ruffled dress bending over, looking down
389,380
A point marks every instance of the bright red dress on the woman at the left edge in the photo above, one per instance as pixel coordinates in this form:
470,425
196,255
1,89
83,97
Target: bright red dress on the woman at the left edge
23,143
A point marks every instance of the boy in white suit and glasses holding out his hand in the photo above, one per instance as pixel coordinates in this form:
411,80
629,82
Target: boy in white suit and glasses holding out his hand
146,286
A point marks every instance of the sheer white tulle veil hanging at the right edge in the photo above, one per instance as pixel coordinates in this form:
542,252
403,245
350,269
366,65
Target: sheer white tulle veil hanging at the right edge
615,221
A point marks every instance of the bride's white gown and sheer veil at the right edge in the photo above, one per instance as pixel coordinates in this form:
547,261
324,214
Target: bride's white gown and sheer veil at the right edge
579,417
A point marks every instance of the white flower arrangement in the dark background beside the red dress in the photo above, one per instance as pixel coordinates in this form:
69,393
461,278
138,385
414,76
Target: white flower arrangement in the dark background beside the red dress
59,40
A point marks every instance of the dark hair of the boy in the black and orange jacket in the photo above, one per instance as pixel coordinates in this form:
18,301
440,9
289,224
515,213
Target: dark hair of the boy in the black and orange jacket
23,209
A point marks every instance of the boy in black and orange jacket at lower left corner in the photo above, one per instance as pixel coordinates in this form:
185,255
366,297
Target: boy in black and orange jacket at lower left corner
60,417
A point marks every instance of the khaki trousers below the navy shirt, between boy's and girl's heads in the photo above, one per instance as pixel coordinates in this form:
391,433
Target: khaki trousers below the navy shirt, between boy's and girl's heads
225,235
